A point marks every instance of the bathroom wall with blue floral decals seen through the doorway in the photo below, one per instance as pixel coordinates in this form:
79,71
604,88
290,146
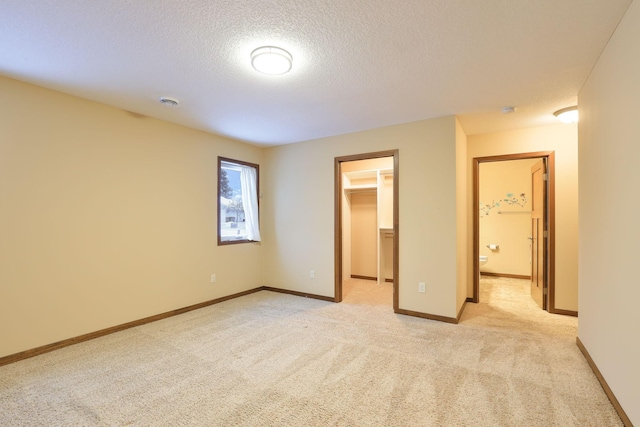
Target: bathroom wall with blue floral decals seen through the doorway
502,224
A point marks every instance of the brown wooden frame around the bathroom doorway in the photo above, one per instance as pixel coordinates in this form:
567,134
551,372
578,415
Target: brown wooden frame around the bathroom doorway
549,262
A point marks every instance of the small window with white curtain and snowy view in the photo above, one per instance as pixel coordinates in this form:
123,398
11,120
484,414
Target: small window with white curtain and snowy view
238,216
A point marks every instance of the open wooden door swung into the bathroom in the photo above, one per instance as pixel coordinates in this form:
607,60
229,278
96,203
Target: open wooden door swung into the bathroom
538,234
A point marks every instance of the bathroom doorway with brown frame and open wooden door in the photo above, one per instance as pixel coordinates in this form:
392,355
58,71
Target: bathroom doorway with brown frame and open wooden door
514,222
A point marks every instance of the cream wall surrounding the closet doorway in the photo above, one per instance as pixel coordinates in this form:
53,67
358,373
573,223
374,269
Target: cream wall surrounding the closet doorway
299,221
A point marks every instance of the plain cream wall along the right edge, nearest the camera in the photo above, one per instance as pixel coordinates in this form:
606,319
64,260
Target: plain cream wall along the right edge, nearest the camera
609,133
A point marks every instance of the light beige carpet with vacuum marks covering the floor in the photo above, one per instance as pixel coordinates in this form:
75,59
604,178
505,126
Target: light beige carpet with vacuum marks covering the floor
270,359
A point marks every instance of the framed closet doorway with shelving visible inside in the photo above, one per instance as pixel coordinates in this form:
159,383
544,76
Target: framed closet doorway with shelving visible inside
366,225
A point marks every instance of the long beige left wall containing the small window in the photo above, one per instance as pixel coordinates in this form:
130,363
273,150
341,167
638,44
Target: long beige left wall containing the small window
106,218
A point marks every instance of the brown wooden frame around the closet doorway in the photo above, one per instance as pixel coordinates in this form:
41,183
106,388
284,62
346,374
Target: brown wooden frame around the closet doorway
338,219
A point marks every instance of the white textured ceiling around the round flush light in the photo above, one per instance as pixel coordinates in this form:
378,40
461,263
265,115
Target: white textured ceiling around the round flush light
358,64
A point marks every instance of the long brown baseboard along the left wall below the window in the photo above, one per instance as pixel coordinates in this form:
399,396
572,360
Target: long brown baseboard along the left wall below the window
97,334
